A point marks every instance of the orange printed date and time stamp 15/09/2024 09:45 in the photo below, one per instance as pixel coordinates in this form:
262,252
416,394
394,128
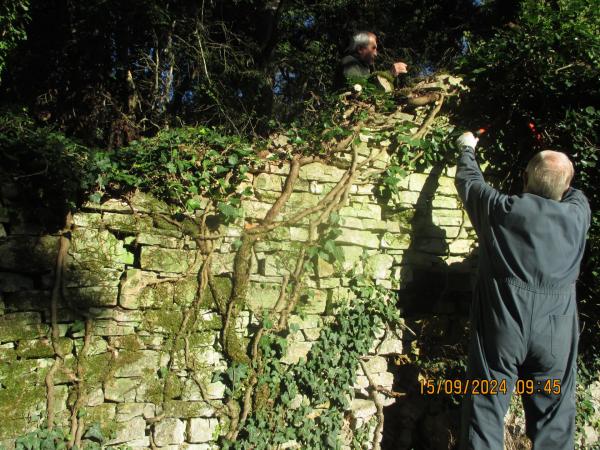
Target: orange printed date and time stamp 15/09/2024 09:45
489,387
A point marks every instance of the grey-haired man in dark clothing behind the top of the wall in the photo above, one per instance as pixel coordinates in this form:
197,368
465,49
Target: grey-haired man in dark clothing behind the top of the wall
360,57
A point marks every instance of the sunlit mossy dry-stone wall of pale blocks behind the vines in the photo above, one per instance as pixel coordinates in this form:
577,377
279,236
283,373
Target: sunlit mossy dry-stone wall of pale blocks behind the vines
134,272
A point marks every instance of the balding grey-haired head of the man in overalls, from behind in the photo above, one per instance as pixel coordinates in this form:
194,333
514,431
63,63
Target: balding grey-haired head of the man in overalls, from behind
549,174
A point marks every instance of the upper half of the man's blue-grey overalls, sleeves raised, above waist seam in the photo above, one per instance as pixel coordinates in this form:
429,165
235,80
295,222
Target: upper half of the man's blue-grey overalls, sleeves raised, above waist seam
537,240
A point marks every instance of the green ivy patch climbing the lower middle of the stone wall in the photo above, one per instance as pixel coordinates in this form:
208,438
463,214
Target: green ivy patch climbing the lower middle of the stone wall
307,400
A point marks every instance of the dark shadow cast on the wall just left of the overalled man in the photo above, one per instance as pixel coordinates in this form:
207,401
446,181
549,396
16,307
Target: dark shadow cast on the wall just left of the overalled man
434,303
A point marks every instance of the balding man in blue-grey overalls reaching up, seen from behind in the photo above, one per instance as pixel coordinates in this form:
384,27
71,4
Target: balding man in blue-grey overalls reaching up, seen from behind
524,321
